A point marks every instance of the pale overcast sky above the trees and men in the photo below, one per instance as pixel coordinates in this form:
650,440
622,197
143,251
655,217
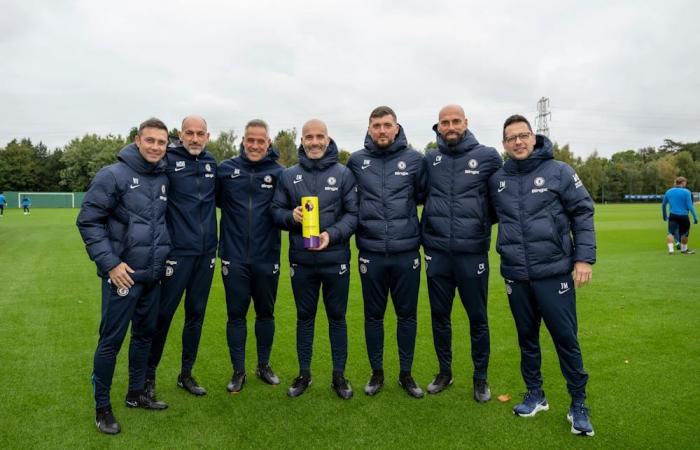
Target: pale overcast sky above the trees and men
619,75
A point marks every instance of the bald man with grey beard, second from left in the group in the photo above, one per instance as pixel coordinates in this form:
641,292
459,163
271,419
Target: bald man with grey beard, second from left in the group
191,219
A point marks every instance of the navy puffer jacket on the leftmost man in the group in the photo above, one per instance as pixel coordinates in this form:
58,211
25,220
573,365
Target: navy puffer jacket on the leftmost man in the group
122,218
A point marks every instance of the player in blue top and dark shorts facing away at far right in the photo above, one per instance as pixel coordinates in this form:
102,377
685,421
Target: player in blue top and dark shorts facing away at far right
680,203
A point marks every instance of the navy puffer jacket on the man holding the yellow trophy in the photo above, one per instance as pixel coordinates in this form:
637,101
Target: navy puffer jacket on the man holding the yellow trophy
334,185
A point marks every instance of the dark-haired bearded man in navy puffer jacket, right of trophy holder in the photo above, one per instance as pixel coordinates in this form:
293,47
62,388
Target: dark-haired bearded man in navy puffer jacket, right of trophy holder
391,182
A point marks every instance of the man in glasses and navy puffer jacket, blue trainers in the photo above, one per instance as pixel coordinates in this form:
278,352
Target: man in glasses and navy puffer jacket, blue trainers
547,245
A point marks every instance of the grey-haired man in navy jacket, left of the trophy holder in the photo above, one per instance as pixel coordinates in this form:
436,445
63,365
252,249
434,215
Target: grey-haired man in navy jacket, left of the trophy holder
249,248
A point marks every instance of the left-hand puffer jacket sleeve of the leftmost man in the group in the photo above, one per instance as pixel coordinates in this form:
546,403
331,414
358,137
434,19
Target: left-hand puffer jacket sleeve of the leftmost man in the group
100,201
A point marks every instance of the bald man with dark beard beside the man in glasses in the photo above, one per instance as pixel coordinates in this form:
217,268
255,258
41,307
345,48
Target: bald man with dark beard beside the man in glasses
456,229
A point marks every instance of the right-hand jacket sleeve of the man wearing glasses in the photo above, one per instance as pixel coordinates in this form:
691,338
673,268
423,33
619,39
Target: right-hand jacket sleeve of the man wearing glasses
579,207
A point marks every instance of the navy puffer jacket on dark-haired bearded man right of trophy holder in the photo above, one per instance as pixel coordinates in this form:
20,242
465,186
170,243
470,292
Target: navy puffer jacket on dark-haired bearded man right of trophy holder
391,183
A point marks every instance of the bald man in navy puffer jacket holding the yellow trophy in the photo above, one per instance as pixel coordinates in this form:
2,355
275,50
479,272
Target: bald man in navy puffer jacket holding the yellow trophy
327,264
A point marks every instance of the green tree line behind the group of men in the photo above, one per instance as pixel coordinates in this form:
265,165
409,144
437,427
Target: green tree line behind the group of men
25,166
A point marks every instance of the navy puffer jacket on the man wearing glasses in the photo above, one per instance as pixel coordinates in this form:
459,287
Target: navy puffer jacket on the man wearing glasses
545,216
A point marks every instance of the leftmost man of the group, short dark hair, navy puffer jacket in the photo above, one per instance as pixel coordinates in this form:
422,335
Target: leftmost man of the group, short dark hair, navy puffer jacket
122,222
